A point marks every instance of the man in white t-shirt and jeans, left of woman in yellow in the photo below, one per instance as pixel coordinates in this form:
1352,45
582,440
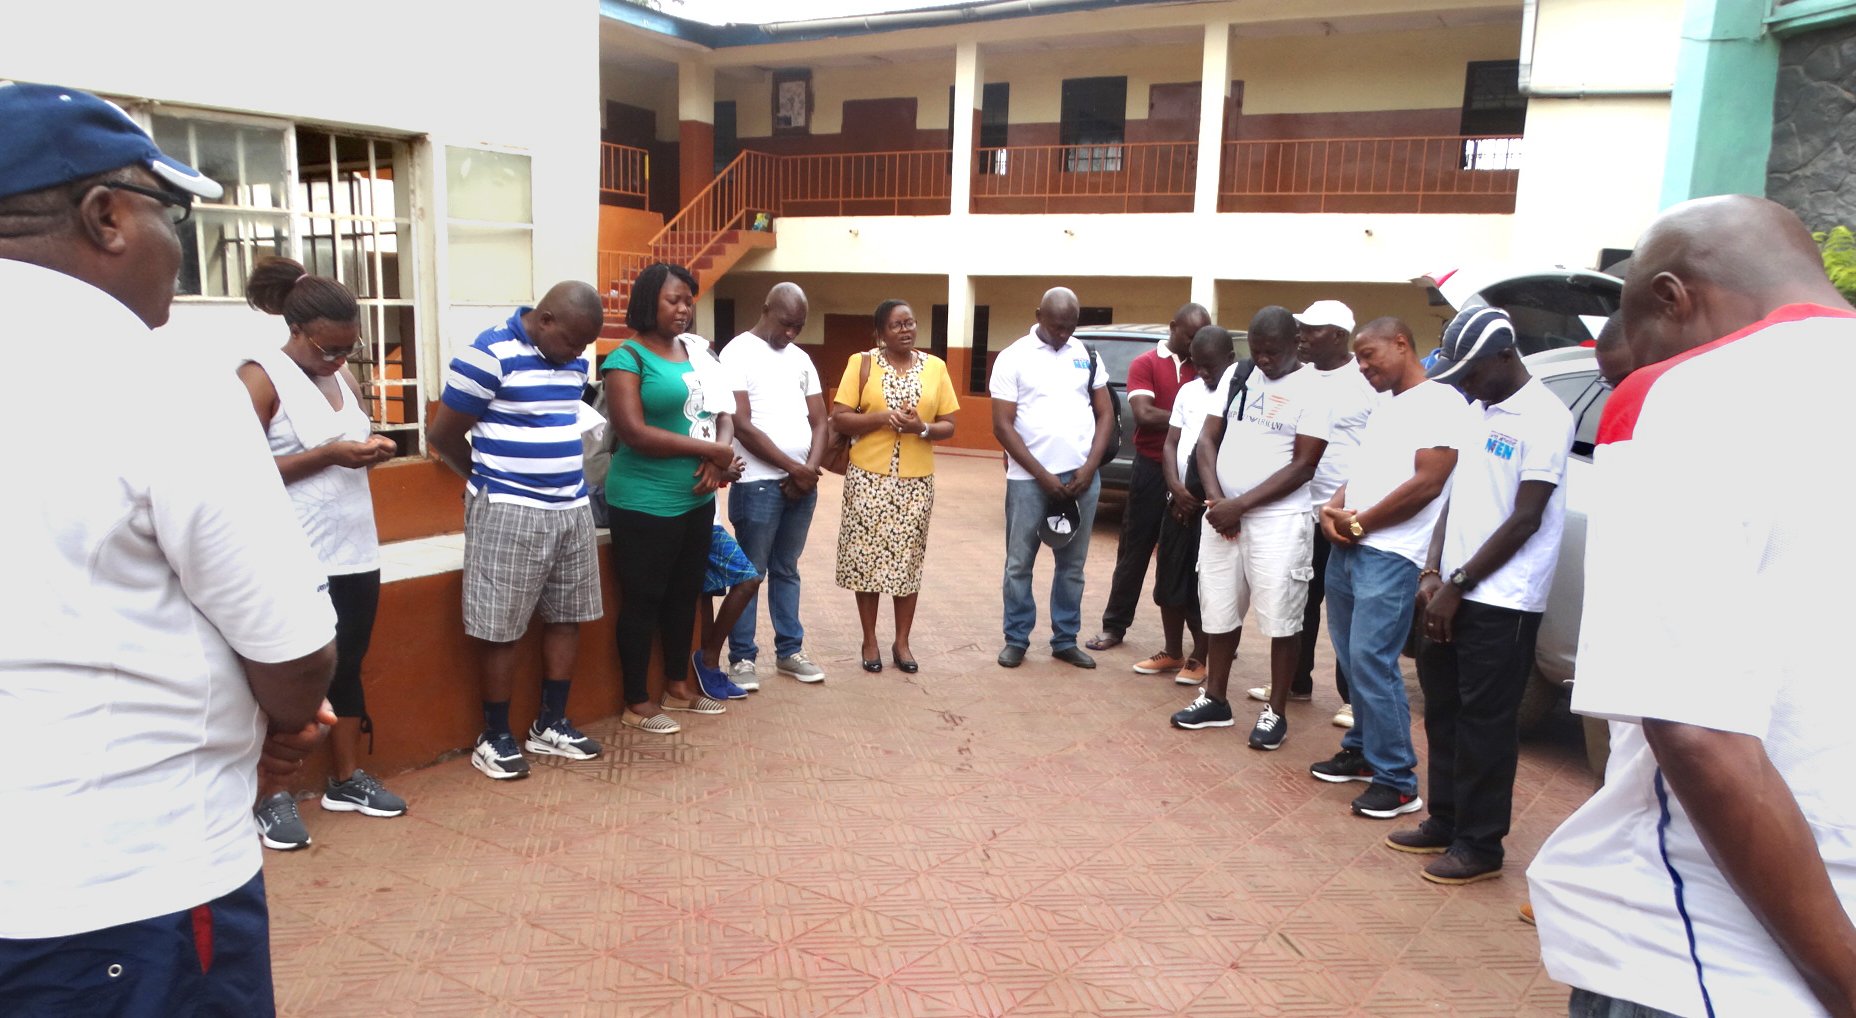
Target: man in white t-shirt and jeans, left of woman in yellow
780,436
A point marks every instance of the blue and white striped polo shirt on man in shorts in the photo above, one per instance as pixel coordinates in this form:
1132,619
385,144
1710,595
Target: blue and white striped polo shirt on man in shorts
526,447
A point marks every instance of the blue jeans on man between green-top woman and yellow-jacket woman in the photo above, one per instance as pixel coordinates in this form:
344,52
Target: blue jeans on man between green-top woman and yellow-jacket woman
771,530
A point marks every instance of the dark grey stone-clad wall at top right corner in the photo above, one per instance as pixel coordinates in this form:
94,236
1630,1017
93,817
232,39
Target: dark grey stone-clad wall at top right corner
1814,129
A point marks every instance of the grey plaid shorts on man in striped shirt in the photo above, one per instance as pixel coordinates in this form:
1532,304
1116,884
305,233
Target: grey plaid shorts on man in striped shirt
521,560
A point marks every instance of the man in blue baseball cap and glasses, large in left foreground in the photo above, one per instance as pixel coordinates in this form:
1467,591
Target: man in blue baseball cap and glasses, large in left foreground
168,631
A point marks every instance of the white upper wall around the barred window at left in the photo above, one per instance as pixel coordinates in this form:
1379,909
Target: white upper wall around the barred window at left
411,68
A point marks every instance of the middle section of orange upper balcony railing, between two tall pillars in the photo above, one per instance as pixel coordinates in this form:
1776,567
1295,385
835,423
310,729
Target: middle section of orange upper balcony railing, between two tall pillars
1126,177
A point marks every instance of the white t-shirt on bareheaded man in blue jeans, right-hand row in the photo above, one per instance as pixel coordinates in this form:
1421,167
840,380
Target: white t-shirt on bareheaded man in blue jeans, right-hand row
1424,417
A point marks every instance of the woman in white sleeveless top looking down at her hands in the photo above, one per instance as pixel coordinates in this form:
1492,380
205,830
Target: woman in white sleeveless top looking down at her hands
324,445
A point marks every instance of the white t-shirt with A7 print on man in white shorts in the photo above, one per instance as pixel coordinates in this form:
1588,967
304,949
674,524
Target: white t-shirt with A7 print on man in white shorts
1261,432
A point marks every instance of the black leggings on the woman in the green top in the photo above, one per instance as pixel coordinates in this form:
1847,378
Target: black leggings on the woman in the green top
658,564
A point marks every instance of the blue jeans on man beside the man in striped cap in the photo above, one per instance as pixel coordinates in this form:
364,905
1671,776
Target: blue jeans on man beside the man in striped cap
1371,599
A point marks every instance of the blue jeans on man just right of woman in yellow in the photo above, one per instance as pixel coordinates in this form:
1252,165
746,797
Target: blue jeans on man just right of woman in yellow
1025,506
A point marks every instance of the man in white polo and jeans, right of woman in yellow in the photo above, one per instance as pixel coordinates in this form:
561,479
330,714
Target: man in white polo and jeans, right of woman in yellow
1053,417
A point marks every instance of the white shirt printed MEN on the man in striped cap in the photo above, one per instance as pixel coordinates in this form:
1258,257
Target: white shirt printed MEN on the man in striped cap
1521,439
